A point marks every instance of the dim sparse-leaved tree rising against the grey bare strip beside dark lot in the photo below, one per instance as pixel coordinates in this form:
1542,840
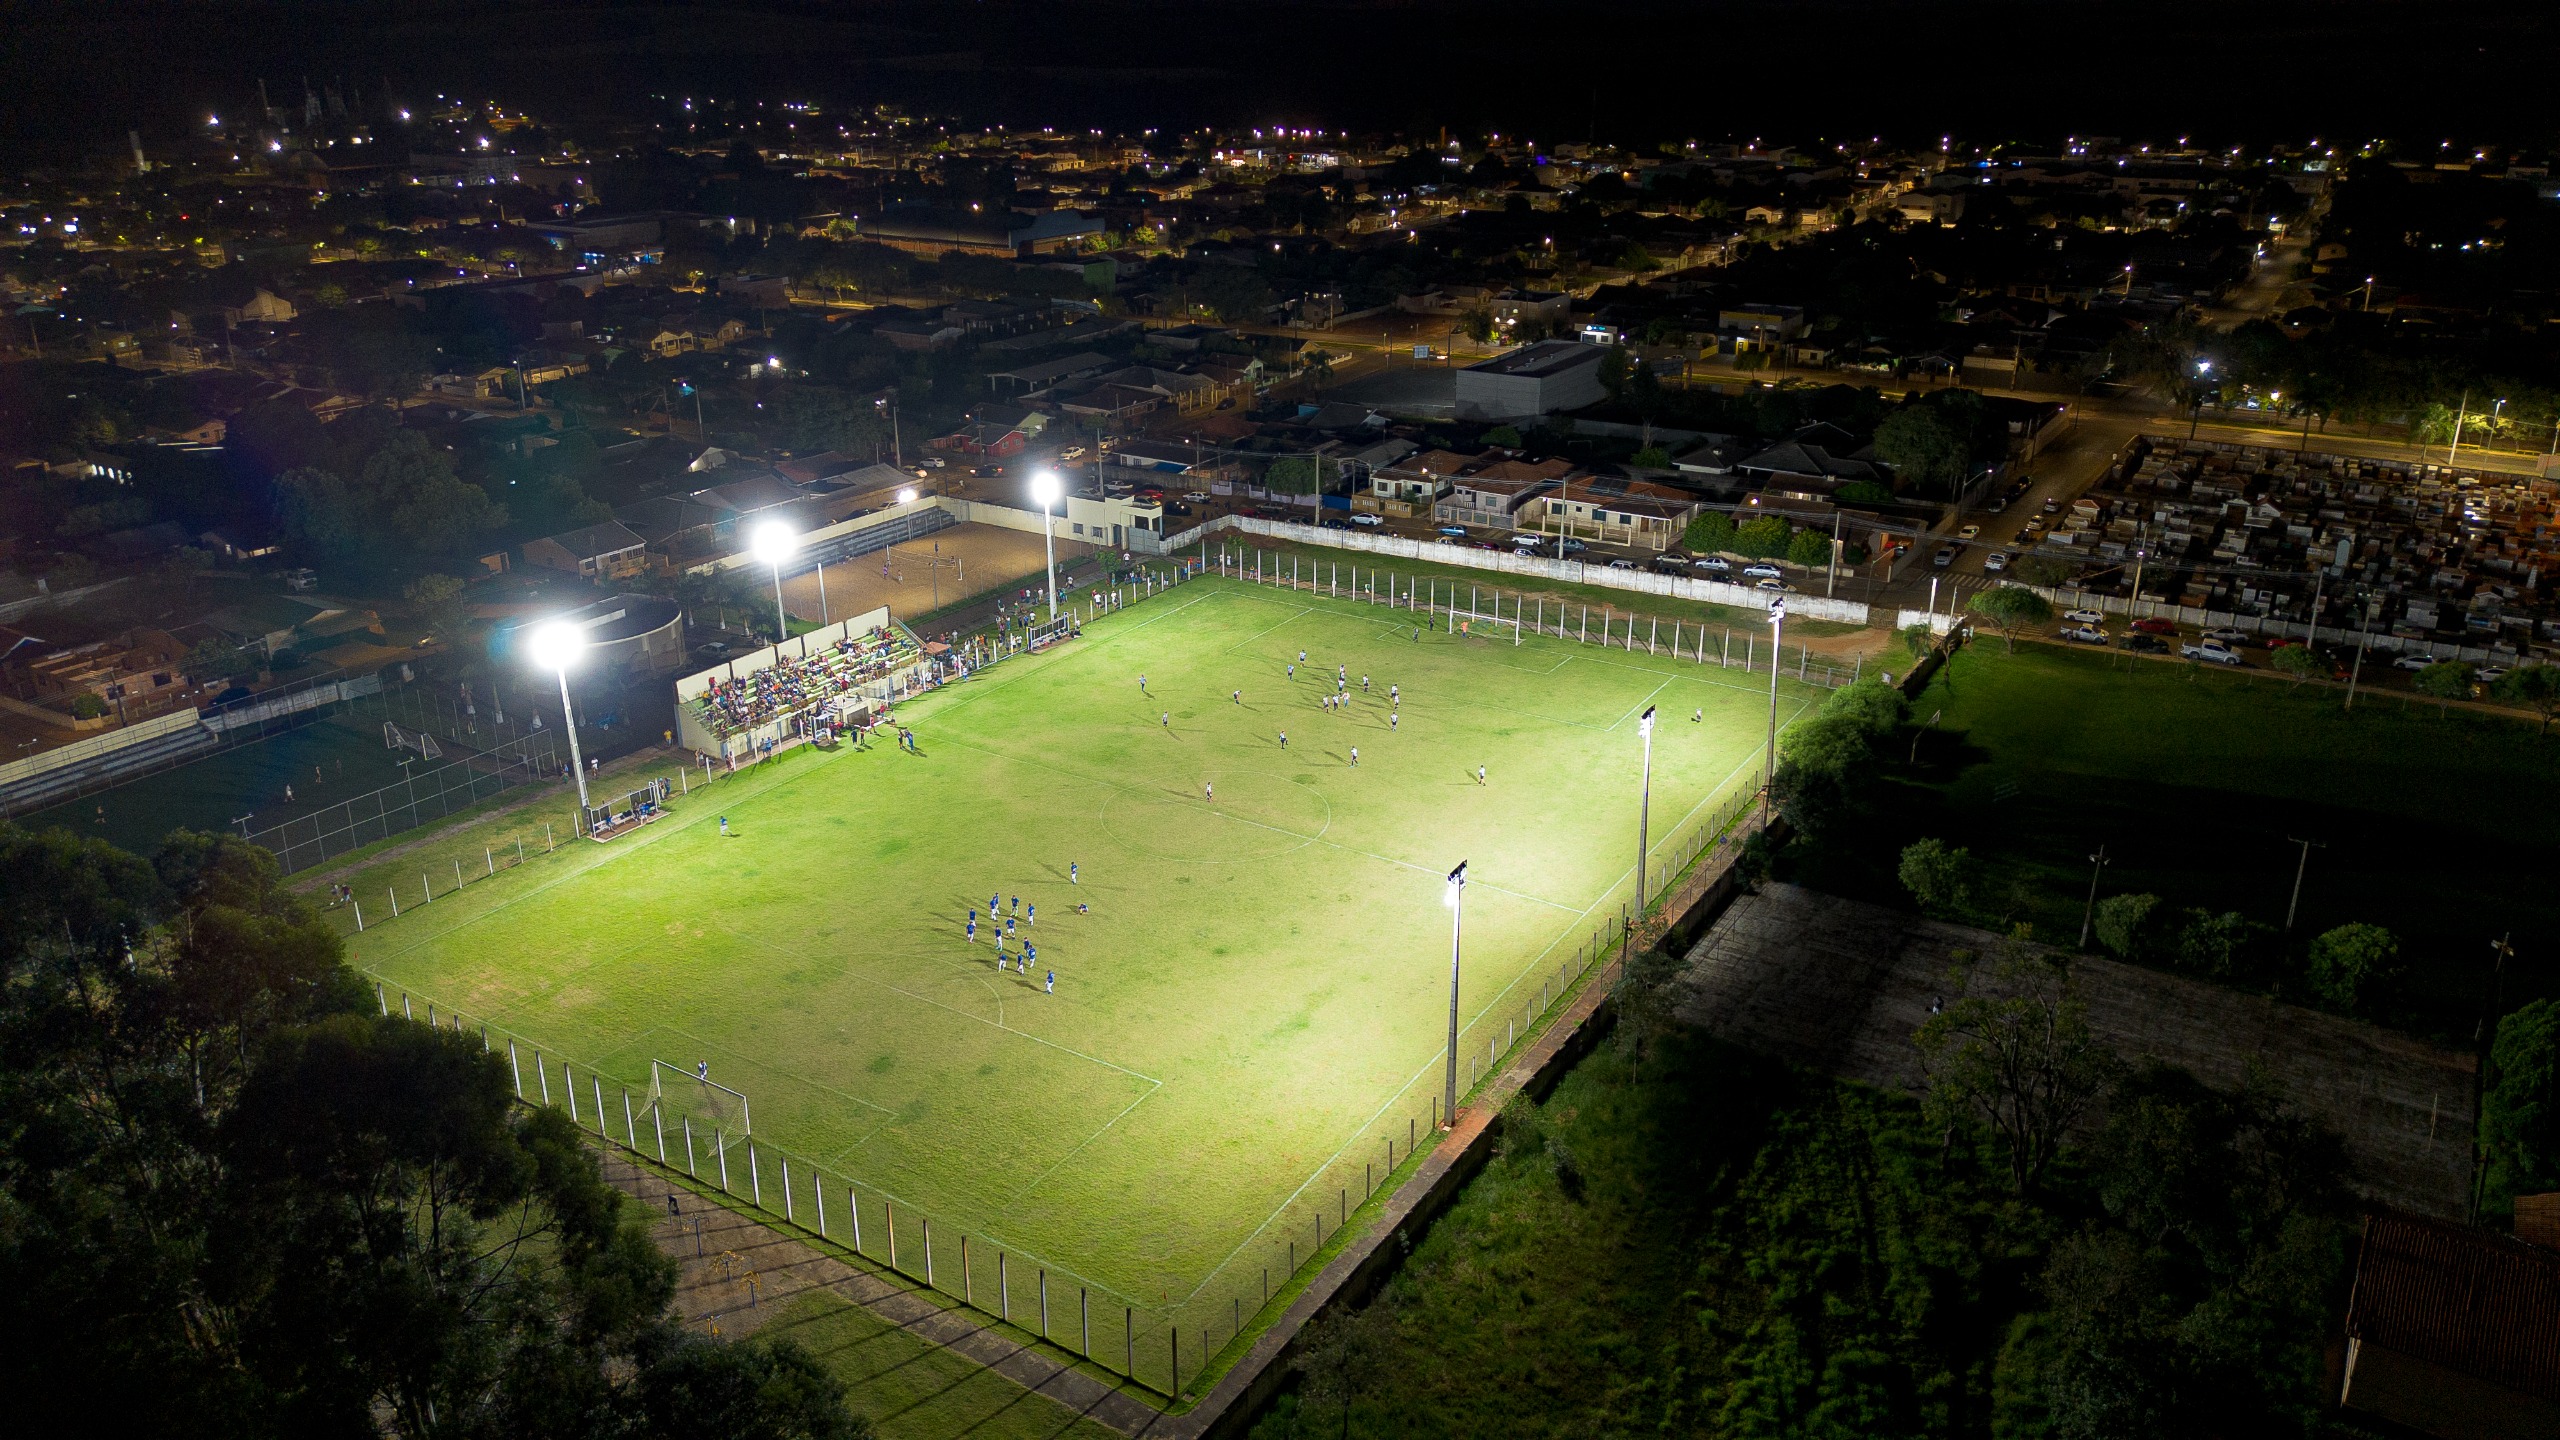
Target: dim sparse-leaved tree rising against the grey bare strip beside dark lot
2019,1060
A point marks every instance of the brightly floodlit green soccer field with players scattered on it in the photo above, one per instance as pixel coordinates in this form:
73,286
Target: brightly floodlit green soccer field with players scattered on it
1253,1006
